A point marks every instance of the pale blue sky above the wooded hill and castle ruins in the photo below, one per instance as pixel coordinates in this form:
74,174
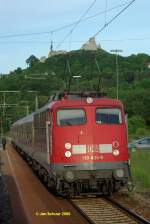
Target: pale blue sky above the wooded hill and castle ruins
129,32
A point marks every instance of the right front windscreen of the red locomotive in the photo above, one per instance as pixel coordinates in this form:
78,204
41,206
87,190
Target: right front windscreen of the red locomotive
108,116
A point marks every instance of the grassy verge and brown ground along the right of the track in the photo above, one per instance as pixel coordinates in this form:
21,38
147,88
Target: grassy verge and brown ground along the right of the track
139,199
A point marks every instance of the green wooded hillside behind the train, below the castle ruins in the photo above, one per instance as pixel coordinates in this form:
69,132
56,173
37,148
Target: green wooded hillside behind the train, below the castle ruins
134,83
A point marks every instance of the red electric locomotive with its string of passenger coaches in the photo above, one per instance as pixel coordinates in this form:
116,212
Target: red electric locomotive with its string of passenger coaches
77,143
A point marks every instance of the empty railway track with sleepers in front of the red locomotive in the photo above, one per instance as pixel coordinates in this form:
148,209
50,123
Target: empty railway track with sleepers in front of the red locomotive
106,211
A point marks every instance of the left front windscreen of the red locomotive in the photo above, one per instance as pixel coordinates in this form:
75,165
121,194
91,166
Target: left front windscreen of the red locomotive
69,117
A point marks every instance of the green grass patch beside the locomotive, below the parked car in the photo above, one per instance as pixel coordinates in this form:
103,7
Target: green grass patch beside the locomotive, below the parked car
140,167
